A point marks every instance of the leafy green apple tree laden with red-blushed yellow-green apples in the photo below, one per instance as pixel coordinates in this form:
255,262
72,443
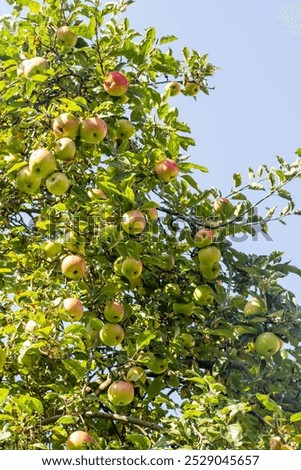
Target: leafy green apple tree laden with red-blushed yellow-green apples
130,318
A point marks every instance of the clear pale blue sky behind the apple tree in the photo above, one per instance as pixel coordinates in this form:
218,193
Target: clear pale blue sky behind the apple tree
254,112
